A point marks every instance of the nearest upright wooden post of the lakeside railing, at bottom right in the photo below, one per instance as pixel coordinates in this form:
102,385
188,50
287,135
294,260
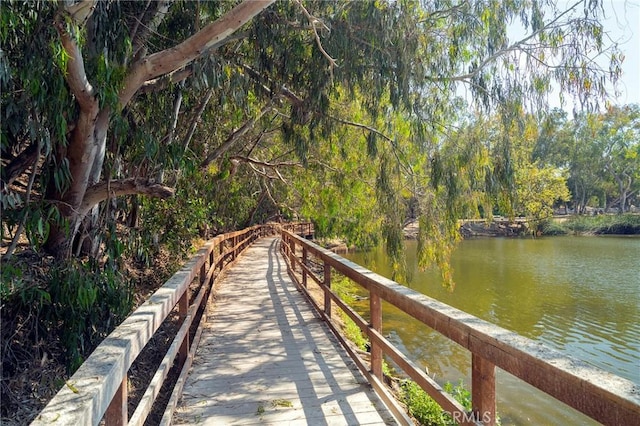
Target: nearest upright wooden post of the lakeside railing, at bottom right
483,390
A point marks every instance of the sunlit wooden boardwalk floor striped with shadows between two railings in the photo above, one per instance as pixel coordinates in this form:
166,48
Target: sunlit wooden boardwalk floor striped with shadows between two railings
265,357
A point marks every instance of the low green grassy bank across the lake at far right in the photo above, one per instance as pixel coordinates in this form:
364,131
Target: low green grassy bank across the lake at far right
625,224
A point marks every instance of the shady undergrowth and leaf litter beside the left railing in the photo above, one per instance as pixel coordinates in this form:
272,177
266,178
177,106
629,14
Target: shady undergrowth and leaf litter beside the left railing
55,313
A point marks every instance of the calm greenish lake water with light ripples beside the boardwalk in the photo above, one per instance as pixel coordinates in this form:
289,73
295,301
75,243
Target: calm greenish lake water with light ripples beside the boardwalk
578,295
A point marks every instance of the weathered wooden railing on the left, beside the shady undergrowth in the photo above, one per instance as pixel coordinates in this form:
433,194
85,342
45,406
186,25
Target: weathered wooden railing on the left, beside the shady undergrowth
98,390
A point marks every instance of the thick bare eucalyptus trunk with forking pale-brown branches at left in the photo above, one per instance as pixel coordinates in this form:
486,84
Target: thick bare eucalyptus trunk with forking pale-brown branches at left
87,146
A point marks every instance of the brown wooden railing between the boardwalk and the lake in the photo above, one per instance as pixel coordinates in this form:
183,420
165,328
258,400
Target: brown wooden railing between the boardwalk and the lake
604,397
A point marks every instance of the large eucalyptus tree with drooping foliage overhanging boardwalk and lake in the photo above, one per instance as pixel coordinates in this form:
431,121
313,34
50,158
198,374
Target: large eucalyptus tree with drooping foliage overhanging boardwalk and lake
95,93
